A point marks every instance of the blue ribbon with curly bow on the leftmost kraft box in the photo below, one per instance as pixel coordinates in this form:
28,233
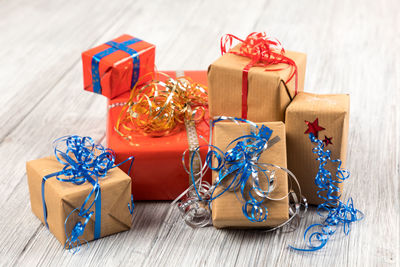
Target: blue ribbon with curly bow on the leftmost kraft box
83,161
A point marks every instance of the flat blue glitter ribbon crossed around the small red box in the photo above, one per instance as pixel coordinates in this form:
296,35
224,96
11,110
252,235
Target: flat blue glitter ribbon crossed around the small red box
114,46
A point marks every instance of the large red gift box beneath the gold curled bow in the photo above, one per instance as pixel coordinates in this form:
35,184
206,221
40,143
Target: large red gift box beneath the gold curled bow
157,172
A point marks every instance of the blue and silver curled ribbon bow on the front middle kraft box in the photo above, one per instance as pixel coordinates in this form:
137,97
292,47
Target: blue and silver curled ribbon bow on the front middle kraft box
238,169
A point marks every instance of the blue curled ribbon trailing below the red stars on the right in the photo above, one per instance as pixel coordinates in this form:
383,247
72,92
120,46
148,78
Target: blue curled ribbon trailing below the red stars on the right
334,211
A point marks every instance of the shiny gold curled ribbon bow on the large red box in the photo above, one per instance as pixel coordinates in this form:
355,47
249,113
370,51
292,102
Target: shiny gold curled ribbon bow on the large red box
162,106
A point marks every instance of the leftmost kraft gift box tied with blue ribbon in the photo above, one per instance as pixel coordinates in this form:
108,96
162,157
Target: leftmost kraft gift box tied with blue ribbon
82,208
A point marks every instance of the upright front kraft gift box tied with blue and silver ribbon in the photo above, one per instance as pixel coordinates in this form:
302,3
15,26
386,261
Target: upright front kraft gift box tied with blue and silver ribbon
228,208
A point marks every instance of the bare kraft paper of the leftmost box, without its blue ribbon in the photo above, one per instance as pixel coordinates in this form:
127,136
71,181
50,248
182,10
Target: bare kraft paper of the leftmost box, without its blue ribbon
63,197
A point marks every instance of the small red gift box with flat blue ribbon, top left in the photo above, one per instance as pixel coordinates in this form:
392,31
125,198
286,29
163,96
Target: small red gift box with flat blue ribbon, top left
113,68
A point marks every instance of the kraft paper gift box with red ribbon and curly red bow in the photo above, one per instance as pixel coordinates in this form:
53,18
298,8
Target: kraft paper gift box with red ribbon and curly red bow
256,80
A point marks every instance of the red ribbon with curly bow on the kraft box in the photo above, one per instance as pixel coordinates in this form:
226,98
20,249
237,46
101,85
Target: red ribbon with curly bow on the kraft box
263,51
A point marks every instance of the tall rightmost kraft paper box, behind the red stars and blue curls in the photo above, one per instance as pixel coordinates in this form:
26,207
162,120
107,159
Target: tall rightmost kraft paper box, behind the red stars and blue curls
332,112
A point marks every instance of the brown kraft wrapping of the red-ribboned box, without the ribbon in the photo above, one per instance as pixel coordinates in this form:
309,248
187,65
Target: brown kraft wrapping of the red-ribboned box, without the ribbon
268,94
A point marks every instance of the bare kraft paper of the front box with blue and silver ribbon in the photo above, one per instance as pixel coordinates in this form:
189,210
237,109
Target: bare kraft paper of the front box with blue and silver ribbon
227,209
